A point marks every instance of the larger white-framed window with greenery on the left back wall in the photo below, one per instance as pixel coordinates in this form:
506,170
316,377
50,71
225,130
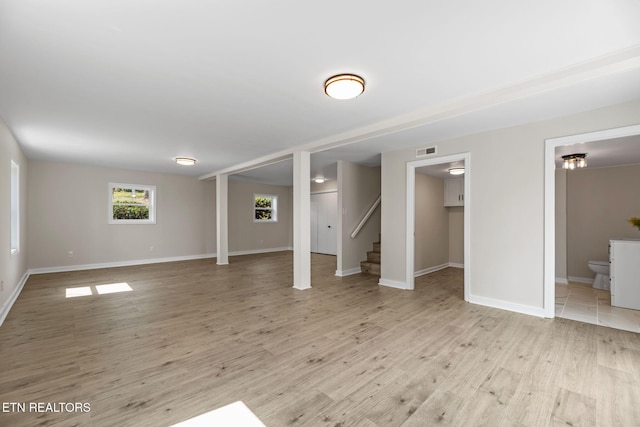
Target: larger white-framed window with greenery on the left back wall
132,204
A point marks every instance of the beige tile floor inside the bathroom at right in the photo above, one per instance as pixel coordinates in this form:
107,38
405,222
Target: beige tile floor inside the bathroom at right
581,302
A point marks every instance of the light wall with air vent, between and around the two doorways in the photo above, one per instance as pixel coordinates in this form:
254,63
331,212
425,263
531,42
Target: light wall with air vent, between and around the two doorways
507,213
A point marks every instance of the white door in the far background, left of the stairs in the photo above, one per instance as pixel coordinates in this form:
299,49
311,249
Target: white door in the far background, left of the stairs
324,214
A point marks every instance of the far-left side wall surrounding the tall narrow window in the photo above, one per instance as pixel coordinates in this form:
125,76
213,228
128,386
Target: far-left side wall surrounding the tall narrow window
13,268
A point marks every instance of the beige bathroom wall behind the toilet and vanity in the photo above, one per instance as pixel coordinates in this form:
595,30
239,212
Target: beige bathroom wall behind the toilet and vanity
599,202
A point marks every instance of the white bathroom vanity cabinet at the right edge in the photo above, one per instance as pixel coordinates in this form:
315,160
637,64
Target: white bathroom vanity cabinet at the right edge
624,273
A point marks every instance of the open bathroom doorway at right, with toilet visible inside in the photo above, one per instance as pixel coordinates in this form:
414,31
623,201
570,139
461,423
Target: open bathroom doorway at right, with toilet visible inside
591,206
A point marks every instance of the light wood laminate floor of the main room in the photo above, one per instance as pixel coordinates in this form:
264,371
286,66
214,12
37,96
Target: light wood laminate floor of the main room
193,336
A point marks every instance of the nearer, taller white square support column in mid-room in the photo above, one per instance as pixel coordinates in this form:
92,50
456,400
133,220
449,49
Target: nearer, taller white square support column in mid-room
302,220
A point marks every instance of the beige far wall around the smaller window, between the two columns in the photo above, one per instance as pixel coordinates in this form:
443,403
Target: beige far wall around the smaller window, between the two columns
245,235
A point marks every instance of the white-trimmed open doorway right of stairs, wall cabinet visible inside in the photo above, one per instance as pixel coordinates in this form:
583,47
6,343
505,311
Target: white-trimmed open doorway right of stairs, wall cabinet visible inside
438,221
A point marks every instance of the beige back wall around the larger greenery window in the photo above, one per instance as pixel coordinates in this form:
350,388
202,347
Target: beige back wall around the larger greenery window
68,212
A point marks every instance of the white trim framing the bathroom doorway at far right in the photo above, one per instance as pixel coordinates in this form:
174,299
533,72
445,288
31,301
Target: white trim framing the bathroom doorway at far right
550,201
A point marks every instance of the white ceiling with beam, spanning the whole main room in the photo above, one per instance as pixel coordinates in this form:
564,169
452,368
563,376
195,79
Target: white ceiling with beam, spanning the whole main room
134,84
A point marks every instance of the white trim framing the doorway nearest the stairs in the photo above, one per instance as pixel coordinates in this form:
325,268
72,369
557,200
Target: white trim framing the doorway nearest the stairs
411,206
